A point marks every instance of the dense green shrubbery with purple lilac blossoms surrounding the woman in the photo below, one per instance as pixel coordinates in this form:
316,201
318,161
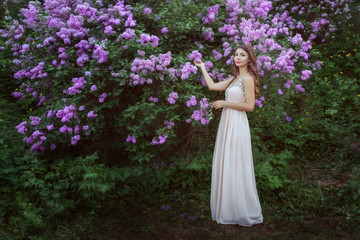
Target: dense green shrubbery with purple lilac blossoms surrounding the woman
151,115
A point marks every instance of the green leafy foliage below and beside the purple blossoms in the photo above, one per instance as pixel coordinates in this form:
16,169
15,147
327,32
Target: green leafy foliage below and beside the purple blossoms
39,194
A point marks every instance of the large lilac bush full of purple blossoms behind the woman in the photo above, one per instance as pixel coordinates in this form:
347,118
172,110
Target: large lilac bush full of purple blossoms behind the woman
83,62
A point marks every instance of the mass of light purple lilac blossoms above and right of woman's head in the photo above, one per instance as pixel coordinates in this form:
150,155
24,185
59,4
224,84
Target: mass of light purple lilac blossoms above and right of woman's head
260,29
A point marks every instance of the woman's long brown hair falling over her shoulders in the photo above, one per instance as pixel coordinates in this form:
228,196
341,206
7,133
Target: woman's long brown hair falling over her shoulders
252,66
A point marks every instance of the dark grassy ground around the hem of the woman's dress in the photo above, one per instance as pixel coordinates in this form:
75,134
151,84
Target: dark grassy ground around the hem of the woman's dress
286,218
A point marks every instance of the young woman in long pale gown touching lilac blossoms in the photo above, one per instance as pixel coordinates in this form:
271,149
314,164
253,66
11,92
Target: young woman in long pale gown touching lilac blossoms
234,198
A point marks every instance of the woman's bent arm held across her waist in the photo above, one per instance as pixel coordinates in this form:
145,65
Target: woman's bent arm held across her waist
249,103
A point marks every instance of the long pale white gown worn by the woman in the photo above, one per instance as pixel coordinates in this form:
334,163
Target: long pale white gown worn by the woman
234,198
